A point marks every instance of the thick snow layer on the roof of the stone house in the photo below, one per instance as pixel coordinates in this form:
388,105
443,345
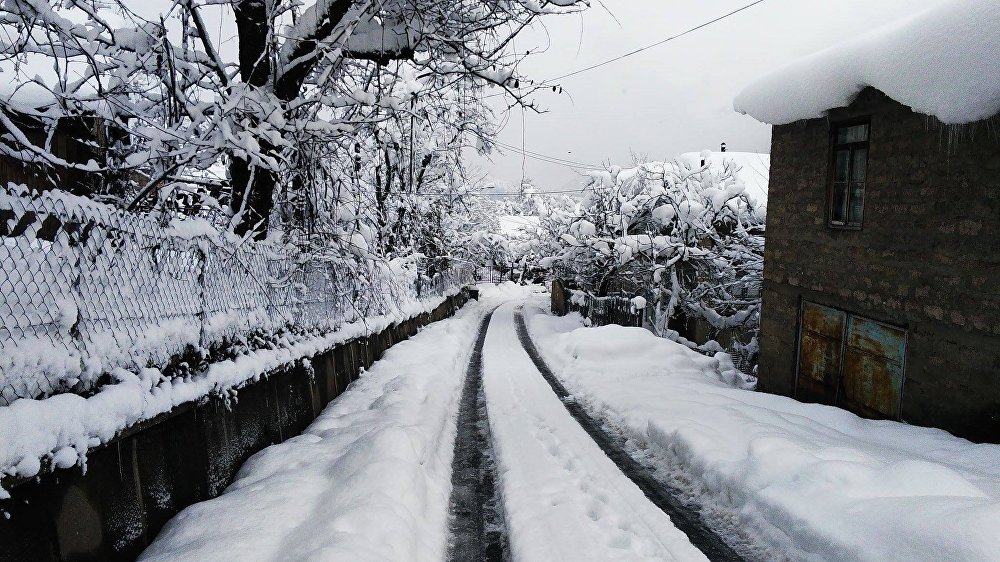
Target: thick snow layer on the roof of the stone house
944,62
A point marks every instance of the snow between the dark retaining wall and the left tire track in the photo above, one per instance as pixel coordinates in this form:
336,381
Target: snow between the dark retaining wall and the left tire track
370,479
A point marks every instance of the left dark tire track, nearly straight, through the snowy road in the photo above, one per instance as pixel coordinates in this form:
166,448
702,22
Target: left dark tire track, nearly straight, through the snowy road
478,531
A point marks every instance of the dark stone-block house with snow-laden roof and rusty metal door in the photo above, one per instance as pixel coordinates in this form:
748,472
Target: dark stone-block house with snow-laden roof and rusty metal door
882,263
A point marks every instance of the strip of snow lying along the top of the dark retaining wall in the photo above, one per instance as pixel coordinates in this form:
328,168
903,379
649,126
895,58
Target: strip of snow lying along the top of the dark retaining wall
64,427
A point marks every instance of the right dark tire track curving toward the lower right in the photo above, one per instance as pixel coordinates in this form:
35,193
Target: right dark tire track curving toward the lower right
683,517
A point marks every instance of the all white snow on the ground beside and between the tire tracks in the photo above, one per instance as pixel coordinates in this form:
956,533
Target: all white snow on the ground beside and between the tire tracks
370,479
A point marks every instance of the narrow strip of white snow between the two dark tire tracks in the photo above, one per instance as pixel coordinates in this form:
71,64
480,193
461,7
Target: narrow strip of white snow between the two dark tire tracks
565,499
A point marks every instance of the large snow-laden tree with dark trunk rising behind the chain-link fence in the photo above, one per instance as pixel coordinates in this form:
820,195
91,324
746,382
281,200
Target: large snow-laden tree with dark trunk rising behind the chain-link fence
299,77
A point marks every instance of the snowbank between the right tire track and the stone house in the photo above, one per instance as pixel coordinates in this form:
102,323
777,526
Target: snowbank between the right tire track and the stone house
798,481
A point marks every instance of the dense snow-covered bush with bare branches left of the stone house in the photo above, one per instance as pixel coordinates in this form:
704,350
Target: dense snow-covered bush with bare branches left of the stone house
688,239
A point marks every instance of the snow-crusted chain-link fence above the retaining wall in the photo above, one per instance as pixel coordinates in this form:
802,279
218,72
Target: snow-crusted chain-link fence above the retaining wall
89,290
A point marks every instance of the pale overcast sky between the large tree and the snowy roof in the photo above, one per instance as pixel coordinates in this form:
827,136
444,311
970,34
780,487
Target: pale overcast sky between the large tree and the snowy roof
671,99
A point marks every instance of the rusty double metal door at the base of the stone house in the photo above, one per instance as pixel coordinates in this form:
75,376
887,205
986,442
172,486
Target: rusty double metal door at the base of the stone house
850,361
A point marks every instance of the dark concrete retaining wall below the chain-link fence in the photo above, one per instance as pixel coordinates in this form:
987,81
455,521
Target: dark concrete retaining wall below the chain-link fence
137,482
